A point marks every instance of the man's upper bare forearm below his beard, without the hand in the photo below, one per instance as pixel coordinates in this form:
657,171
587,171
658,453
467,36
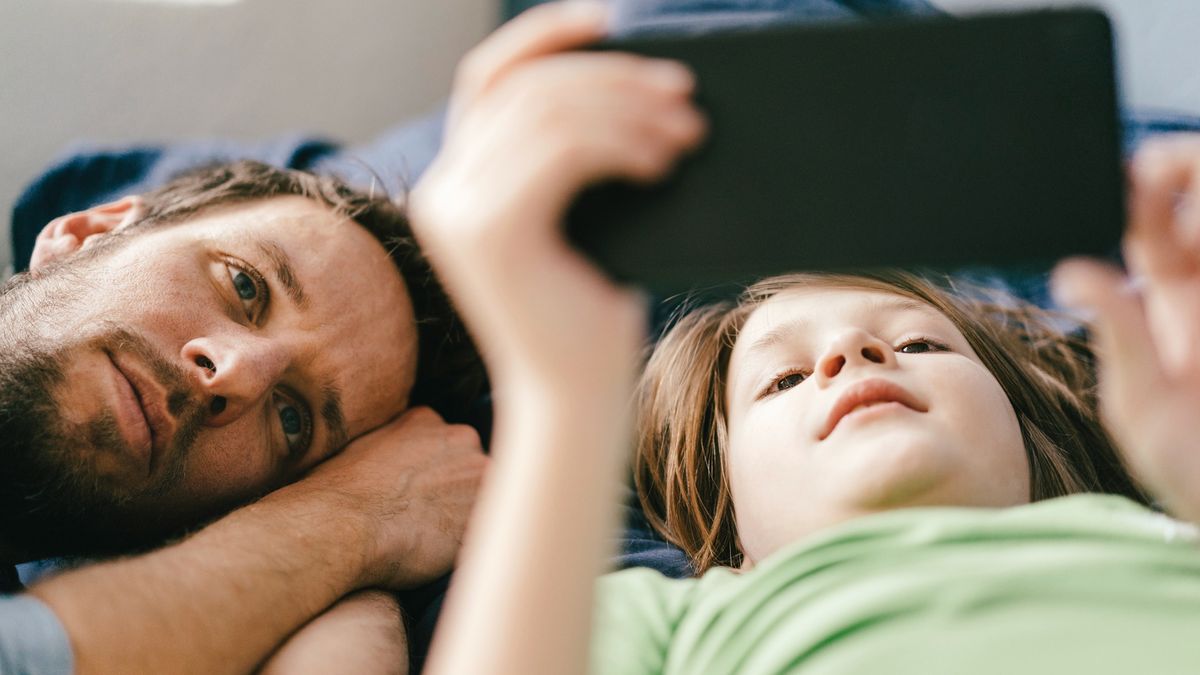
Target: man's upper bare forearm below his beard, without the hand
220,601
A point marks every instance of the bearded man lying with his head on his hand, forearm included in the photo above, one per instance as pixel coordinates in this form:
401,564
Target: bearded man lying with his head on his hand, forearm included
171,357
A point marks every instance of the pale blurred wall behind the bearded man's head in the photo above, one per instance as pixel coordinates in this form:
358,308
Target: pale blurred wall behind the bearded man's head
113,71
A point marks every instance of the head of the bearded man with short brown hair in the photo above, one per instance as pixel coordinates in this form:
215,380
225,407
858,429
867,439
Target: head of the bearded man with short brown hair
175,355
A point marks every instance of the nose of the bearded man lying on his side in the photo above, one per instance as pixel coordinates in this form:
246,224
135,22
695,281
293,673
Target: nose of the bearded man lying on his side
236,373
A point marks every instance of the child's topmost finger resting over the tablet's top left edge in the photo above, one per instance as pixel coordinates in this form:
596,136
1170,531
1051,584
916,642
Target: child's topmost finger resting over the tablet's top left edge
545,29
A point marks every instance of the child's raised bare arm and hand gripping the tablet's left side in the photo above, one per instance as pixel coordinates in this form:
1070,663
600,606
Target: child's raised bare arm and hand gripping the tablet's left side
531,127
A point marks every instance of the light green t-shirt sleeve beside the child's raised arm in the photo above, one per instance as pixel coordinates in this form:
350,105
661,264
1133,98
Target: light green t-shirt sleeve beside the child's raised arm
637,616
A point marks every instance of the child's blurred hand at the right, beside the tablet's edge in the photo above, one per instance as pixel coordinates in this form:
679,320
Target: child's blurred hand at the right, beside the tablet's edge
1148,326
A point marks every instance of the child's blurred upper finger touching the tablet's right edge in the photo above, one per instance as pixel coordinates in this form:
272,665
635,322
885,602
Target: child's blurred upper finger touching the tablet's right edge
1156,244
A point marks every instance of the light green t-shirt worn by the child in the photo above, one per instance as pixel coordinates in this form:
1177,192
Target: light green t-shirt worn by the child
1087,584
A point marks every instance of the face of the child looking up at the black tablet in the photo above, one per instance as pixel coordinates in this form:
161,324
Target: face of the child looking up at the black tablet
845,402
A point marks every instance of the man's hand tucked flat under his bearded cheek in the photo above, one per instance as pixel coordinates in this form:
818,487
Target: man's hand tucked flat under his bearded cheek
413,482
